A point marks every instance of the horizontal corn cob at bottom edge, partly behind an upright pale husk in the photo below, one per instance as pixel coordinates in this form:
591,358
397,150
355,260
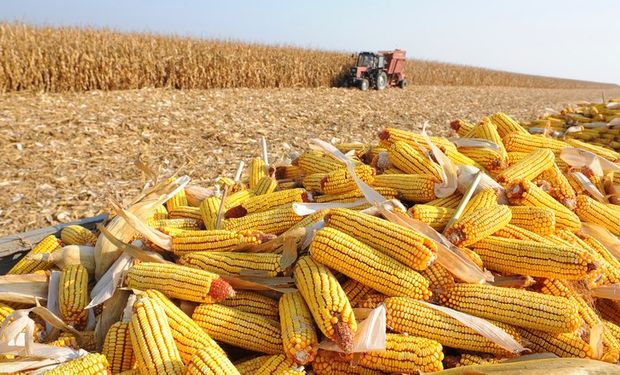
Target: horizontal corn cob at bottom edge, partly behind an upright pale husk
405,354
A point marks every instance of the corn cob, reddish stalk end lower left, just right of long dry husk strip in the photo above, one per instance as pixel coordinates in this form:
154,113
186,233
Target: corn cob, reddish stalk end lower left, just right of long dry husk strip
478,224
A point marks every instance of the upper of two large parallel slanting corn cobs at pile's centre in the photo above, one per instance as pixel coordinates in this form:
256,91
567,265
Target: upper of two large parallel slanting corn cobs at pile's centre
404,245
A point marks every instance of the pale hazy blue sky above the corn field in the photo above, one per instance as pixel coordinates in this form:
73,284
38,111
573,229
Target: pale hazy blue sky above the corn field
562,38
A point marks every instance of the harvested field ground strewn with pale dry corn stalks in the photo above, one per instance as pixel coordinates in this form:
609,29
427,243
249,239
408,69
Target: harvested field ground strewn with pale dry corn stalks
64,155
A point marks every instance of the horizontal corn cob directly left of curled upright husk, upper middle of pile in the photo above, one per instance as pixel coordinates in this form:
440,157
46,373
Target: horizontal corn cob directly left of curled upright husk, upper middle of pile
411,187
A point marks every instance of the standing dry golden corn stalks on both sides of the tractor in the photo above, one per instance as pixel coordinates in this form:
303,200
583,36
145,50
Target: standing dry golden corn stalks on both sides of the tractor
77,59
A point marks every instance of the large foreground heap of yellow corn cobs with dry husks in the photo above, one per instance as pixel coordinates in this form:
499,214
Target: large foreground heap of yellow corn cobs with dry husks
454,252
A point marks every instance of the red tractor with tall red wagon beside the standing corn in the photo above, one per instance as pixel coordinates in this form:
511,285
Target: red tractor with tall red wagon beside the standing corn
378,70
